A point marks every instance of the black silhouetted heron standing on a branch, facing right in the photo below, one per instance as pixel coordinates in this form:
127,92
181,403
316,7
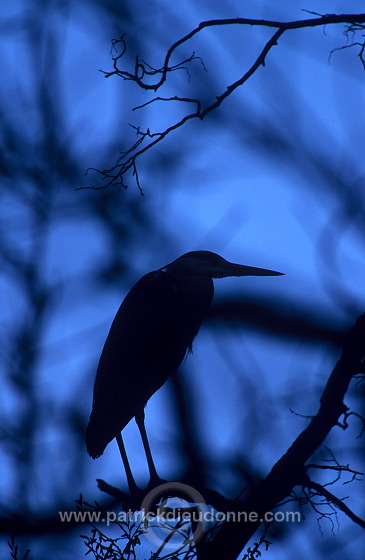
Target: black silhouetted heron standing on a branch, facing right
151,333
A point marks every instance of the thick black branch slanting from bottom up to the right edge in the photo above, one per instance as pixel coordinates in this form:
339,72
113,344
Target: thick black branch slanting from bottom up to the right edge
290,469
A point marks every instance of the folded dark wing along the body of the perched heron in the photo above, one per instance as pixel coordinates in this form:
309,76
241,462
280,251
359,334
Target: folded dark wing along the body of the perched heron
141,351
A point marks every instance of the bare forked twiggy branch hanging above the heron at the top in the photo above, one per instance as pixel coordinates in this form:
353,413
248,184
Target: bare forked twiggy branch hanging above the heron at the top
143,72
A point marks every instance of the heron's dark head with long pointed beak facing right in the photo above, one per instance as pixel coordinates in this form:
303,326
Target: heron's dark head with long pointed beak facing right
205,263
